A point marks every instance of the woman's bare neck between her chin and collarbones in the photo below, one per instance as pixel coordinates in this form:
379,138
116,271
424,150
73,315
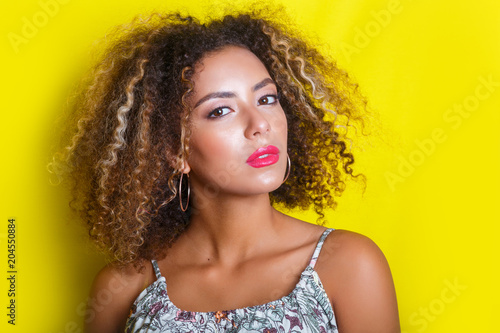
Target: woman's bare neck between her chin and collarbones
232,229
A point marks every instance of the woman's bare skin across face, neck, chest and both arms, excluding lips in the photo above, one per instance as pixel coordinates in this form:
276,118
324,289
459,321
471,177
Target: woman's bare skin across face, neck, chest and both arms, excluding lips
246,252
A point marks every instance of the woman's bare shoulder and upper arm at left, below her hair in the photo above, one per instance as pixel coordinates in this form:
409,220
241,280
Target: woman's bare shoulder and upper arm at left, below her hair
112,294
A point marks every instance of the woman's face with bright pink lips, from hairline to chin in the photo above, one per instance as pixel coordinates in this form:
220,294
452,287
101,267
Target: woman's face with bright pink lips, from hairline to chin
238,142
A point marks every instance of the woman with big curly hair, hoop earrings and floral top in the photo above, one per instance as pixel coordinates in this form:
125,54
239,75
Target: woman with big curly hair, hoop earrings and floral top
187,133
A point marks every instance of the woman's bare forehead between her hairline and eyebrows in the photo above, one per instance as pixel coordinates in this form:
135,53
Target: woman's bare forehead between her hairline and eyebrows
226,68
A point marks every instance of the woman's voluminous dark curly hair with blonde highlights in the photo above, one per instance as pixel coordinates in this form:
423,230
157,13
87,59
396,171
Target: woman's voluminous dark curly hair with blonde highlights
131,126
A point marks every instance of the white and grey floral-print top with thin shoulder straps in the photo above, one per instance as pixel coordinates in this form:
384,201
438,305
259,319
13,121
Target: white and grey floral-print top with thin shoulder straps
306,309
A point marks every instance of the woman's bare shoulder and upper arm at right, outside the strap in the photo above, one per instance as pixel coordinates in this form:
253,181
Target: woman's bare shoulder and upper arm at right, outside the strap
359,283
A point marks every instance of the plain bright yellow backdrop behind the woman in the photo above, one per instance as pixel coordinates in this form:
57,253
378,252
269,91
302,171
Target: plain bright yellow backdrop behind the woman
417,61
